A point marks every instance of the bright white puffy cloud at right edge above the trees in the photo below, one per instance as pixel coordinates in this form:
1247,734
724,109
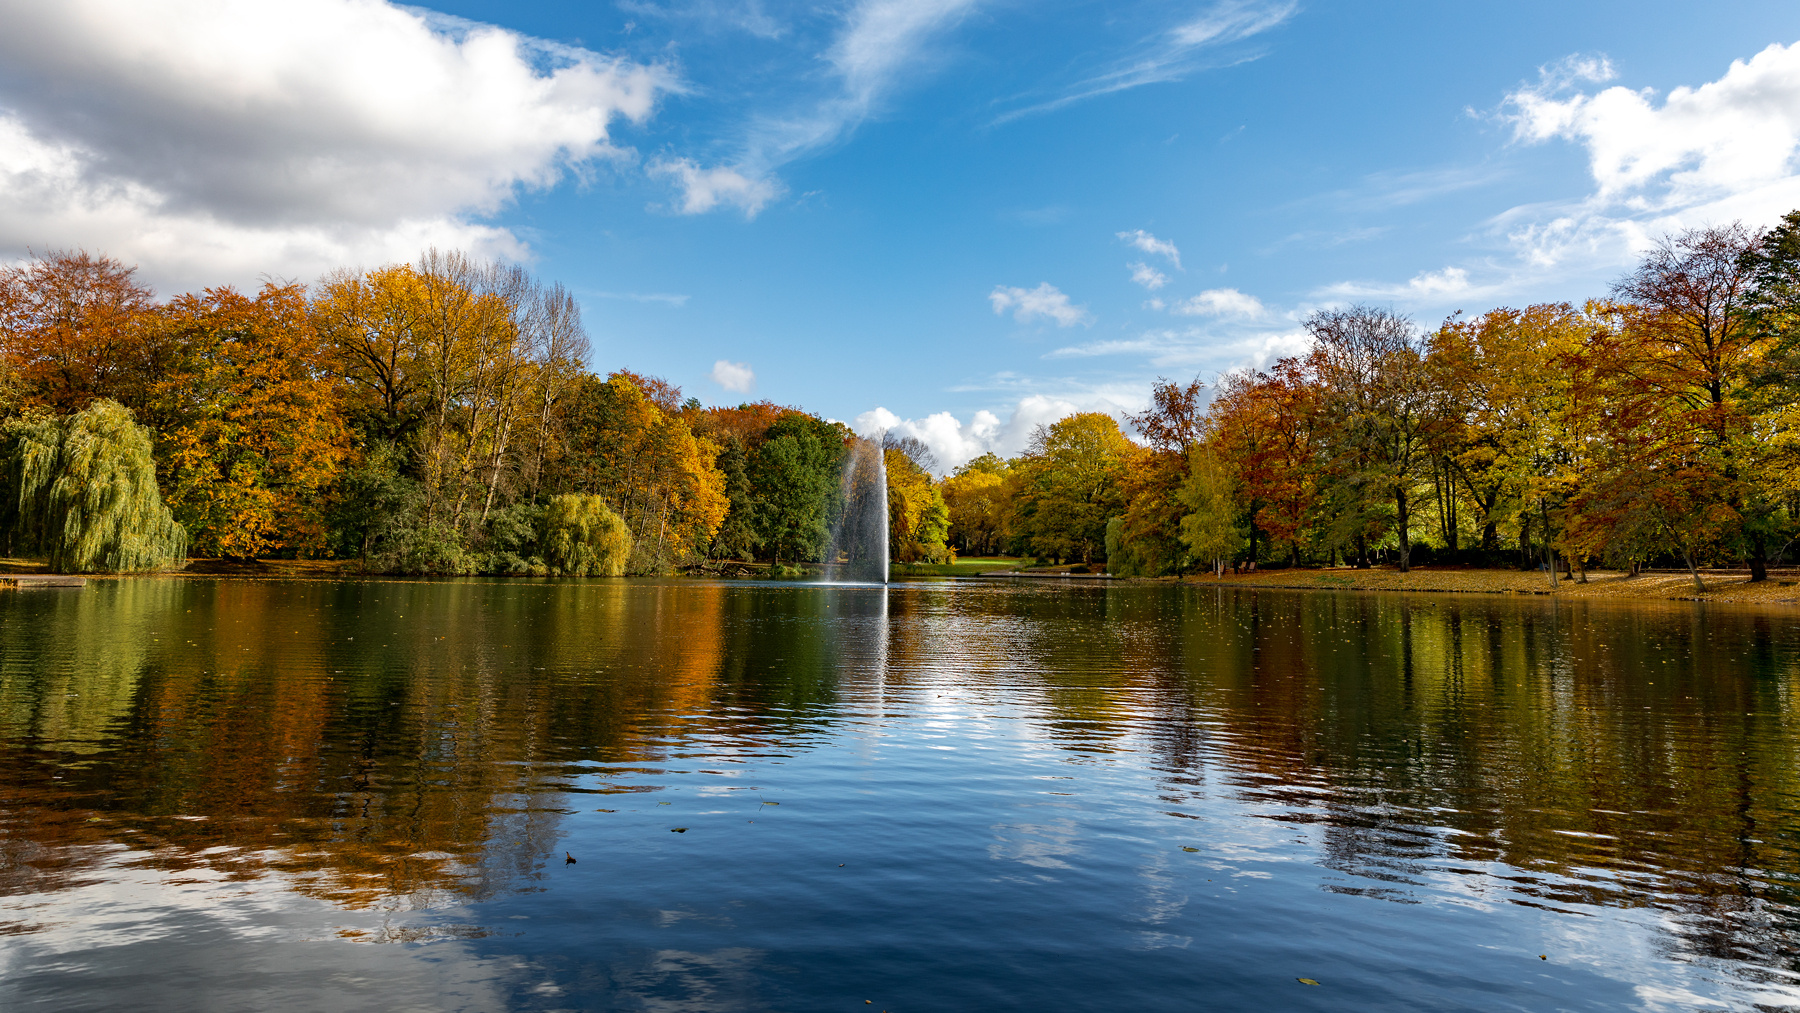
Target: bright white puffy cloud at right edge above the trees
1723,150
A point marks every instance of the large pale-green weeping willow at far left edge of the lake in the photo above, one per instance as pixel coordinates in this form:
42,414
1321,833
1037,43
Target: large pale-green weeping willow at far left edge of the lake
82,490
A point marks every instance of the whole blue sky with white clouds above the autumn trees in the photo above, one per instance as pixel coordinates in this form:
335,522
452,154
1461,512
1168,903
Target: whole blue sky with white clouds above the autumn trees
921,213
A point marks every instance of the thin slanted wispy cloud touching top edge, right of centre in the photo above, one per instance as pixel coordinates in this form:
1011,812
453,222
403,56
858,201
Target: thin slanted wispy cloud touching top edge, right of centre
1174,53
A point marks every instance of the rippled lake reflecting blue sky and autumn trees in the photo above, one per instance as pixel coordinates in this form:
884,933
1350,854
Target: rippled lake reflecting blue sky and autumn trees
940,796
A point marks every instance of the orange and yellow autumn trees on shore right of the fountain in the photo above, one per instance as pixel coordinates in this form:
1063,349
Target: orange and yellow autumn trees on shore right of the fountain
1655,426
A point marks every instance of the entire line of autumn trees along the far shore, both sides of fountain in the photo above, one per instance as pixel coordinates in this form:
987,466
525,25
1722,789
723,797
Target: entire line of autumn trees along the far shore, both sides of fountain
442,418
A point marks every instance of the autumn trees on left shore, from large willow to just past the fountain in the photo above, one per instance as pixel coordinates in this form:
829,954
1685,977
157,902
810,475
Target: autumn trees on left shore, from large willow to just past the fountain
418,418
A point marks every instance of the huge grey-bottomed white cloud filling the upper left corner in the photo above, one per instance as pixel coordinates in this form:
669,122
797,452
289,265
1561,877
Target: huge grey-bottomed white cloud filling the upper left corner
231,138
